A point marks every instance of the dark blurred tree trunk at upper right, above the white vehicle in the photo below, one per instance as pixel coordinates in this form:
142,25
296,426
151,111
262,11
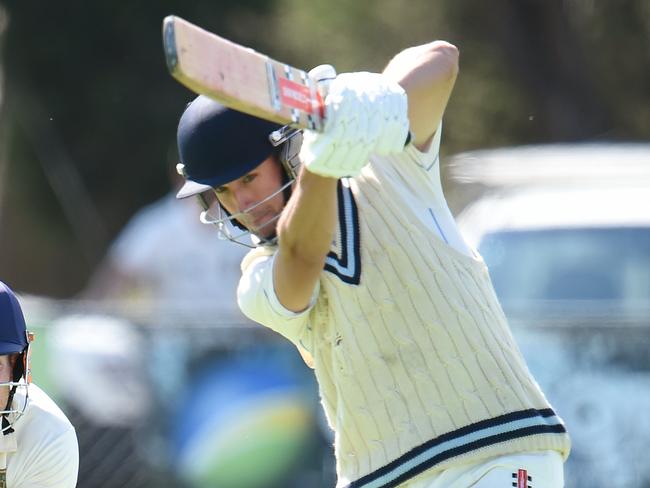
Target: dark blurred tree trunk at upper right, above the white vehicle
549,60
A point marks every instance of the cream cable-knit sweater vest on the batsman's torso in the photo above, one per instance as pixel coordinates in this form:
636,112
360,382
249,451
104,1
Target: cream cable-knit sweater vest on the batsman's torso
420,348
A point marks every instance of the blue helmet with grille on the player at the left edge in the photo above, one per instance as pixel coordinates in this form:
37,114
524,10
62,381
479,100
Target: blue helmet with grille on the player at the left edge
14,339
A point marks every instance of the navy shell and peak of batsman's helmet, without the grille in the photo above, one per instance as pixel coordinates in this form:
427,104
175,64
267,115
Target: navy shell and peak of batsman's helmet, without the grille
217,144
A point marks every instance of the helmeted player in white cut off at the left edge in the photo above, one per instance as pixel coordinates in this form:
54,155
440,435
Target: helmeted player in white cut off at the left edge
38,445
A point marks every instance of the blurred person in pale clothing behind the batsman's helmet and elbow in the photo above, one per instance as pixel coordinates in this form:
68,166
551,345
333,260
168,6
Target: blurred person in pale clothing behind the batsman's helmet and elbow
166,260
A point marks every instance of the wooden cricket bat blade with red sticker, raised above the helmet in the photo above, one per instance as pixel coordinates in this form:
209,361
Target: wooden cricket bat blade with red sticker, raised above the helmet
239,77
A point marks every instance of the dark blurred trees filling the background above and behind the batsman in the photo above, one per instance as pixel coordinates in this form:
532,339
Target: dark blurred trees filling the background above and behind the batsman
93,111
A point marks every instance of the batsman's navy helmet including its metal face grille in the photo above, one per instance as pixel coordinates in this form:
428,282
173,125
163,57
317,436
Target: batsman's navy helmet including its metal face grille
218,145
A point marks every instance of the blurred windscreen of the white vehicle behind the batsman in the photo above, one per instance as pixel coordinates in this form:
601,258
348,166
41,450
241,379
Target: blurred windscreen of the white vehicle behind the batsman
570,264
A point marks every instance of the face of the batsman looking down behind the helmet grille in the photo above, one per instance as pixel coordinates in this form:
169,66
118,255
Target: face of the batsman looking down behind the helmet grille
242,197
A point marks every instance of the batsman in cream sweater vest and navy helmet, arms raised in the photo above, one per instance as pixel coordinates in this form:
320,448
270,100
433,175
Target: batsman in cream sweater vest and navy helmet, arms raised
358,262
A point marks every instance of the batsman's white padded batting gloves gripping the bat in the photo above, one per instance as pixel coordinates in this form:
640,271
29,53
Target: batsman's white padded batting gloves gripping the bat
364,113
